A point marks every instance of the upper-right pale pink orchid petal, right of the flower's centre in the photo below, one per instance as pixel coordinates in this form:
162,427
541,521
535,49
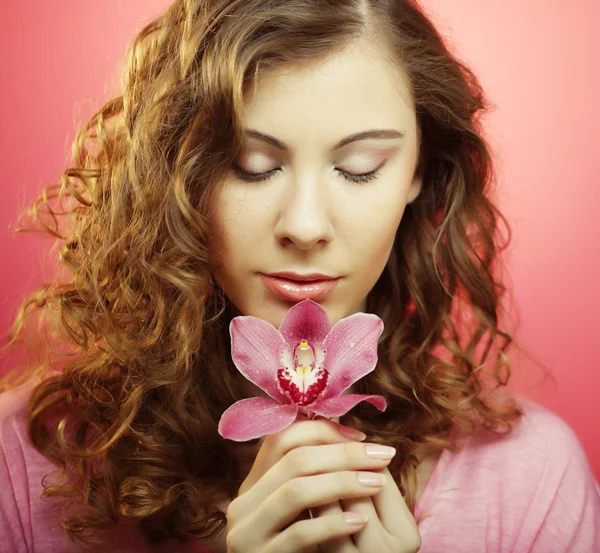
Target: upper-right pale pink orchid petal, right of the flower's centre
351,351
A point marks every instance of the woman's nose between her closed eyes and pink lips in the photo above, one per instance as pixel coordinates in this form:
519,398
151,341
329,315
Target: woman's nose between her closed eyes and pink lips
305,218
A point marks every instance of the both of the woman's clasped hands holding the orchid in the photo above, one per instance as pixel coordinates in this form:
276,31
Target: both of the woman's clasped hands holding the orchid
312,463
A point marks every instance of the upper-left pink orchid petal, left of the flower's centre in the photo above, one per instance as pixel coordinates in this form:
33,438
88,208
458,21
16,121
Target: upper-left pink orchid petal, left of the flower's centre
256,350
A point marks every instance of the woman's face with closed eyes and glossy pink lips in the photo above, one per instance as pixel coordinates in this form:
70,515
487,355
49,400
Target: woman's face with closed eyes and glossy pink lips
305,214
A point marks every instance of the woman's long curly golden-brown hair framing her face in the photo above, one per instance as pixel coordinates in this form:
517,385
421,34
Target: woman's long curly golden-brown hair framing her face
136,368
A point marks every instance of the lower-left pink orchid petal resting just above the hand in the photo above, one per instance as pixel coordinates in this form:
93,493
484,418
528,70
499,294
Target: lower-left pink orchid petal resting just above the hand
254,417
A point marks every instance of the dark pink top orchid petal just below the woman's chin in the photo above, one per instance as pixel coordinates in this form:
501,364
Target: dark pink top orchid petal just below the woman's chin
306,320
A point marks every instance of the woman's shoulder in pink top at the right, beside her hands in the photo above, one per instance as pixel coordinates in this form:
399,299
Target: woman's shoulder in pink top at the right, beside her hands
530,490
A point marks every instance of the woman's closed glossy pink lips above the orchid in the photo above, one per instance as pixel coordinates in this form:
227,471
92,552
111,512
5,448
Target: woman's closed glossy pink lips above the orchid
300,287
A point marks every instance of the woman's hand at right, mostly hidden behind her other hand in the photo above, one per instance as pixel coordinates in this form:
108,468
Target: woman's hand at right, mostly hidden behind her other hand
391,527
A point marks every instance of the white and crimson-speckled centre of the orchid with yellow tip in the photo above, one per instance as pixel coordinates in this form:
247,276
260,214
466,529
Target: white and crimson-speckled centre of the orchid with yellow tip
305,382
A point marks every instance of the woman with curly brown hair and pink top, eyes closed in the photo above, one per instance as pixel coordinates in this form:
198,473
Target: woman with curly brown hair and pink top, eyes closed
260,145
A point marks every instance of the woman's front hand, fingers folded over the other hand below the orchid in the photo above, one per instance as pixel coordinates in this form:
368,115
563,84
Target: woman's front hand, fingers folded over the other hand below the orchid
308,464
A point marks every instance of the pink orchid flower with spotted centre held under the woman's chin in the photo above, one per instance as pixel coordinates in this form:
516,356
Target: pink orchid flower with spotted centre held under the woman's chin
304,366
